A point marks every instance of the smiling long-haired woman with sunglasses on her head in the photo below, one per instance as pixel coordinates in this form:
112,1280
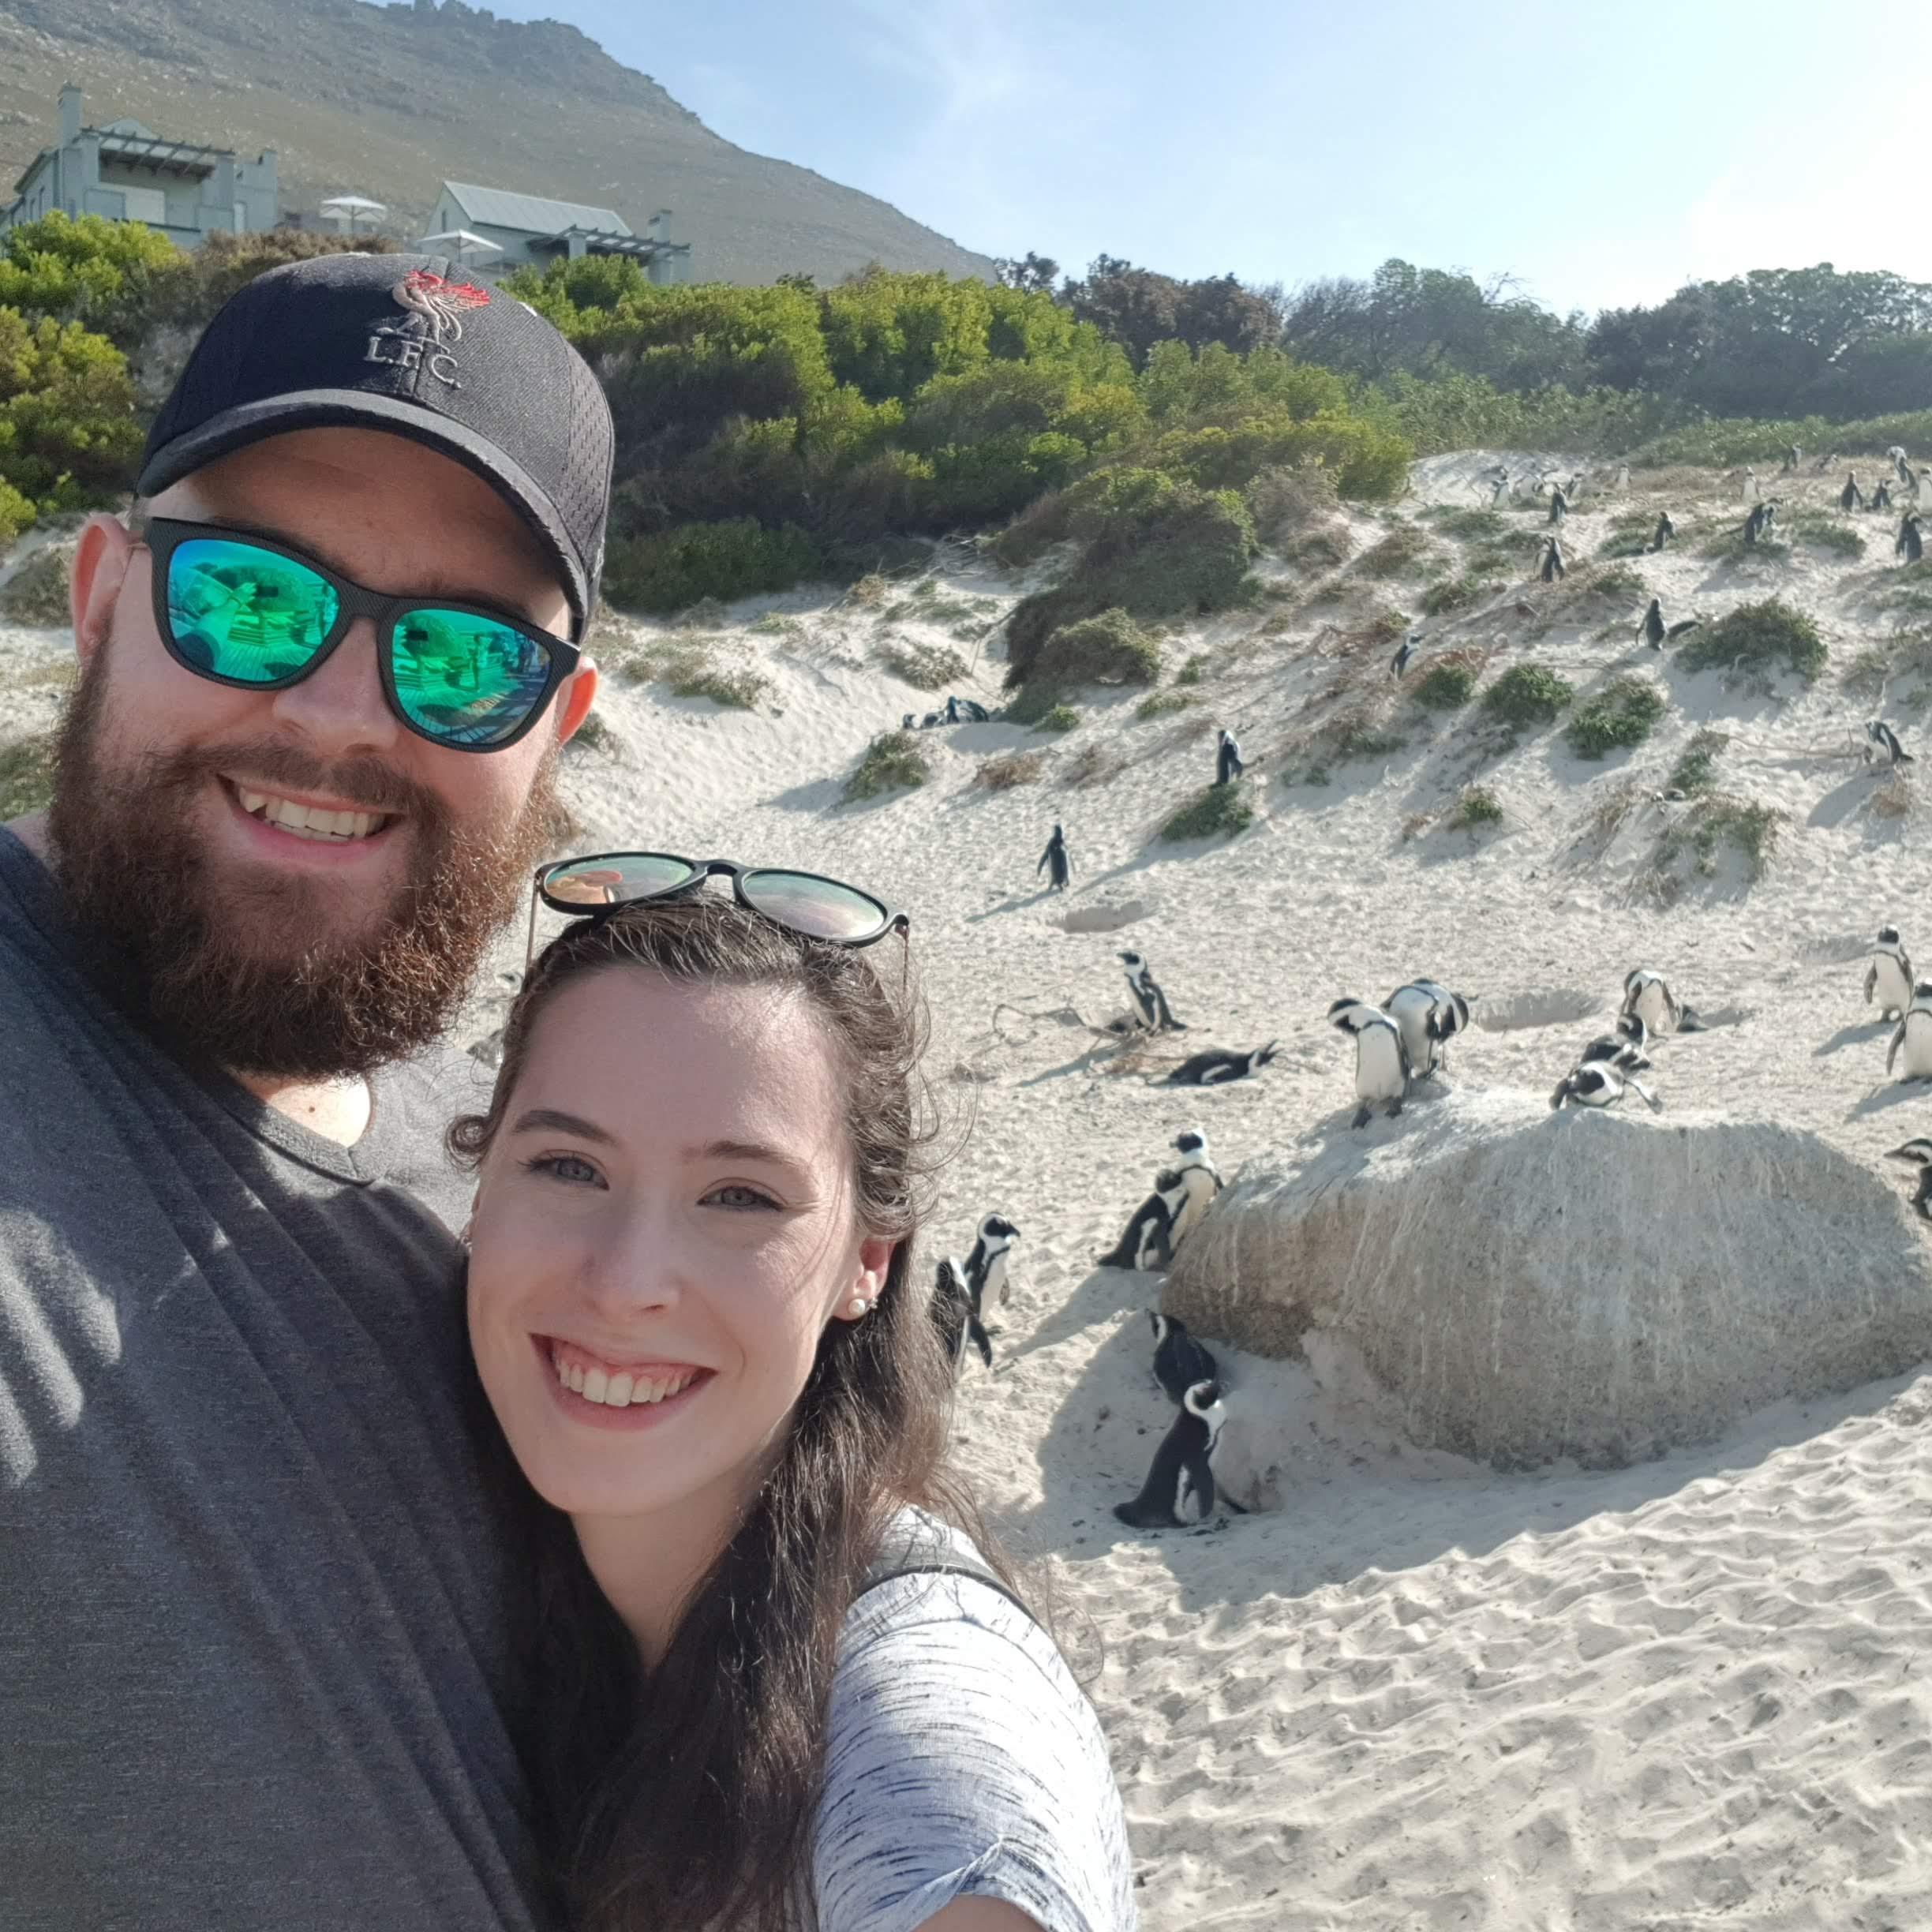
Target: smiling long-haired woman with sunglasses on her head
695,1311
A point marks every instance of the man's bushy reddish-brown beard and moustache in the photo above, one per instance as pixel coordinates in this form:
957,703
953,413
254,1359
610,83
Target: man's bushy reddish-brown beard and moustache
192,957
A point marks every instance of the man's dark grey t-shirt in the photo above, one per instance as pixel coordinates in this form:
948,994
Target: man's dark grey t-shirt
256,1603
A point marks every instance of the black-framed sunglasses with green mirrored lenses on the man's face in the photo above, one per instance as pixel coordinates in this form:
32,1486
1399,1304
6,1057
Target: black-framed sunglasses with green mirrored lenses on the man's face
254,613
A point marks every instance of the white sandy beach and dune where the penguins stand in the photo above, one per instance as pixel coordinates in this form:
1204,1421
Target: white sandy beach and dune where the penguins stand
1415,1693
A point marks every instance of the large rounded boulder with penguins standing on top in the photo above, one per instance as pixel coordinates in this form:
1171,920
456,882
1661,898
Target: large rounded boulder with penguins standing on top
1595,1286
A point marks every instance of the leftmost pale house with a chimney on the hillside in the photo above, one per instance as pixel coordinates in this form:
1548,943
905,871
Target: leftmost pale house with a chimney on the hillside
132,175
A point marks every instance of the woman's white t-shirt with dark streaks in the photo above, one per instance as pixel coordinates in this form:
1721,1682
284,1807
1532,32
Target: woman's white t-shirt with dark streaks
963,1761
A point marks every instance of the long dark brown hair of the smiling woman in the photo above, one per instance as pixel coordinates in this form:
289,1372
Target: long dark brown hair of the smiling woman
685,1796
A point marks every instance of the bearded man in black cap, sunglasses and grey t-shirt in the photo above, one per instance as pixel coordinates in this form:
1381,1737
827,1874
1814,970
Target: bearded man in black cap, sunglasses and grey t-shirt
260,1601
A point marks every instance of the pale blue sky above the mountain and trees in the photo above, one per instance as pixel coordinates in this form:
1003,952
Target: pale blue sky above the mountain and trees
1601,154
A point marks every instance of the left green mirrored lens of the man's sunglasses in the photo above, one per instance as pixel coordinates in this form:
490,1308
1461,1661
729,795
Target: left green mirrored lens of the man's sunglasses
242,613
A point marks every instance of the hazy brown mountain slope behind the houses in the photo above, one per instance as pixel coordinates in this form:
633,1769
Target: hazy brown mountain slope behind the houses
393,99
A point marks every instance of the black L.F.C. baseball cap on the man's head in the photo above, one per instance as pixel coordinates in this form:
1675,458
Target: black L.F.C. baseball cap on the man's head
409,345
